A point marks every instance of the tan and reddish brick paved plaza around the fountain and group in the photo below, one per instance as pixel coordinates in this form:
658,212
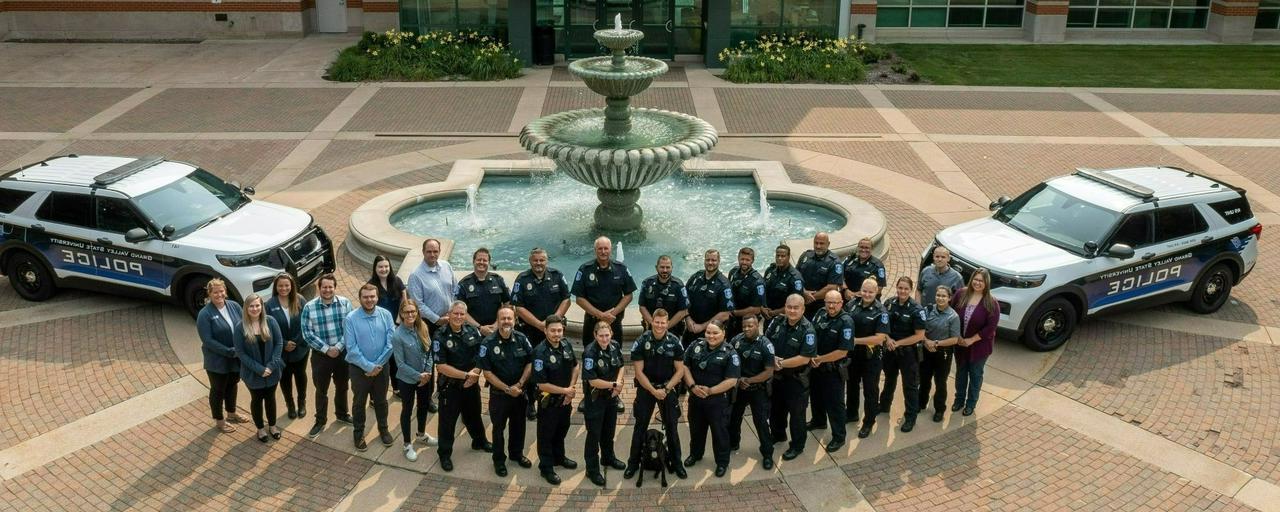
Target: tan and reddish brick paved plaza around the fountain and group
106,404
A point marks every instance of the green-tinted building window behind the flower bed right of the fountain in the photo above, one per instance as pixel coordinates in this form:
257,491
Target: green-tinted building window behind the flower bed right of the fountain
749,20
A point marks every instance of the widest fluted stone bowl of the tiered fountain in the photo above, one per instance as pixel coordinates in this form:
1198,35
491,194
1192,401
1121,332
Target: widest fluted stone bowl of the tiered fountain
656,147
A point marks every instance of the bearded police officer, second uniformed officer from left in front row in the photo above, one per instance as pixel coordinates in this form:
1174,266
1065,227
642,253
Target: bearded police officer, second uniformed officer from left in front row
506,358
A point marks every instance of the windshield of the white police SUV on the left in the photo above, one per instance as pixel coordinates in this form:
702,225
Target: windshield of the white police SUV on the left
191,203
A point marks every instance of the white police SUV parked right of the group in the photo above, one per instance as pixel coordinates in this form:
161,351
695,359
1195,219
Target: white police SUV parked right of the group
1107,240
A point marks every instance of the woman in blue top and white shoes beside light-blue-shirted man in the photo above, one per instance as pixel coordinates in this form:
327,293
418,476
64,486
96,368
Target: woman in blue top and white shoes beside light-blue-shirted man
412,345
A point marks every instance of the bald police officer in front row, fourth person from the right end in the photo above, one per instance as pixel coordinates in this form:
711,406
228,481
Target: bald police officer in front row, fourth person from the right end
871,331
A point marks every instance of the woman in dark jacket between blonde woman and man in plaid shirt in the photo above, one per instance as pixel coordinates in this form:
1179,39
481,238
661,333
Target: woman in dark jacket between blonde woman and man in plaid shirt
286,308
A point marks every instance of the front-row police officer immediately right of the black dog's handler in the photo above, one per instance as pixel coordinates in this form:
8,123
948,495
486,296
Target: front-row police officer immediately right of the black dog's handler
714,369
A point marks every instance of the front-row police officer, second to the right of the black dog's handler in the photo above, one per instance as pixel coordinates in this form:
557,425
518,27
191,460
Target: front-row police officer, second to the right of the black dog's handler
756,351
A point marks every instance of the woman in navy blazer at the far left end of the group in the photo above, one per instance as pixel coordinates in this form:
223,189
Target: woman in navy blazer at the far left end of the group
217,324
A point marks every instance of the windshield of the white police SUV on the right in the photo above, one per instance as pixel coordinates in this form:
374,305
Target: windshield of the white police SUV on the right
1057,218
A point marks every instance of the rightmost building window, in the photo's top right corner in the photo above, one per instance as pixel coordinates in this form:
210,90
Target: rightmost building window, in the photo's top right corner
1139,13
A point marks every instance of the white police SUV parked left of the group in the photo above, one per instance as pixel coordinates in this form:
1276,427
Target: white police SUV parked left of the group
148,227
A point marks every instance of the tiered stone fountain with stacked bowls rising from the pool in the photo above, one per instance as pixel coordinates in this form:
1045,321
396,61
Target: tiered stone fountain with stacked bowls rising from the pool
619,149
